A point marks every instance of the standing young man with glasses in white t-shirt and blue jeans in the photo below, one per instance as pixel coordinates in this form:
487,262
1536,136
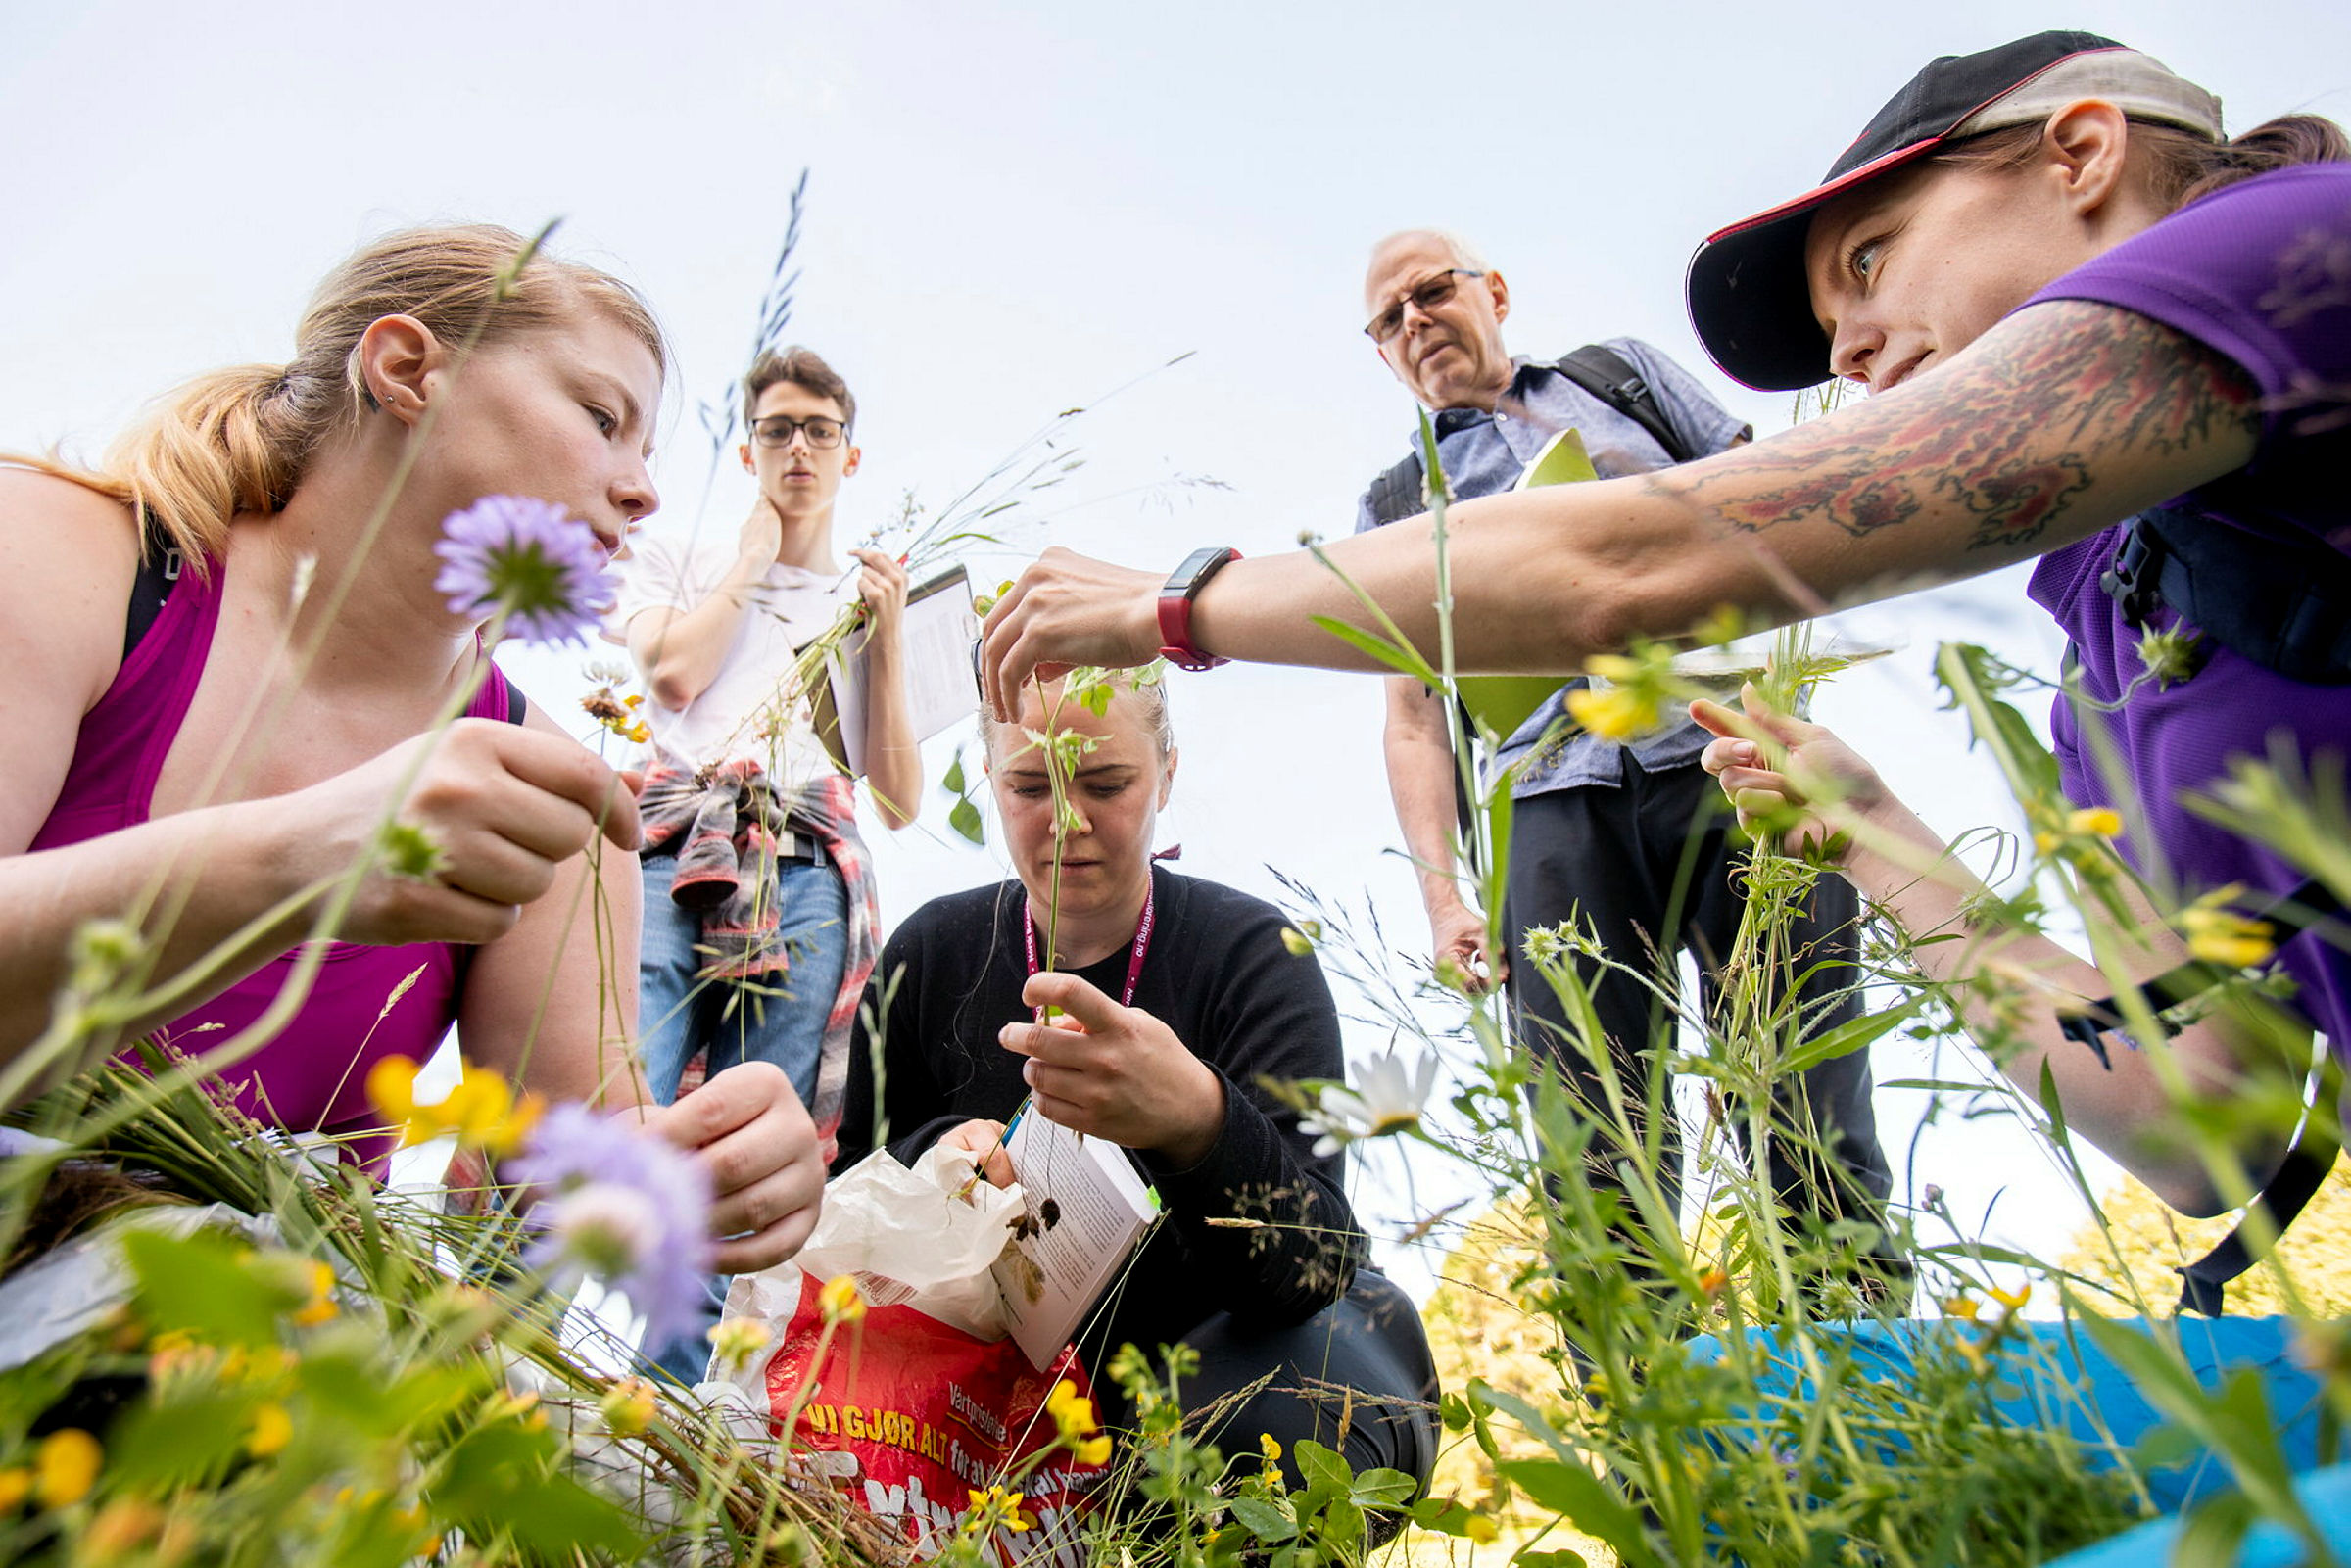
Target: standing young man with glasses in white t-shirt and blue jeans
758,904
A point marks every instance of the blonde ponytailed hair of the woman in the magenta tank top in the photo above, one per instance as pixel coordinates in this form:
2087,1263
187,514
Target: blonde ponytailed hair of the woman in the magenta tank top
241,438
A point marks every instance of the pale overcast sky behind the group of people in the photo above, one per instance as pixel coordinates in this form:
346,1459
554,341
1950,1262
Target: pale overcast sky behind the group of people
1014,210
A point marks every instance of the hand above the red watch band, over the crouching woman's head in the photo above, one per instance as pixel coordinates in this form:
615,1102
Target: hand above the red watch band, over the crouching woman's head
1066,610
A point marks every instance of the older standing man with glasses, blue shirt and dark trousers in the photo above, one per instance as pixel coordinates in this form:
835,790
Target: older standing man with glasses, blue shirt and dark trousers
1628,840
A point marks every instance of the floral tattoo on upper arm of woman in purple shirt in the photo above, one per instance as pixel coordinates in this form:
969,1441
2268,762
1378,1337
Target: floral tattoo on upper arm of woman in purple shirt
2063,420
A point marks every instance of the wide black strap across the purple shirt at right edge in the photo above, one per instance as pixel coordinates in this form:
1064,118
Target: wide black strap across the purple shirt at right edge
2282,605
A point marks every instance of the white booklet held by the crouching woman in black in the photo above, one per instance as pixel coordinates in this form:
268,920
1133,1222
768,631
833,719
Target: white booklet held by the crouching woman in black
1087,1214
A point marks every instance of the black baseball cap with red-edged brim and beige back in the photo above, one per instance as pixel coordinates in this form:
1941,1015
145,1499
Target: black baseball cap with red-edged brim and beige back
1748,293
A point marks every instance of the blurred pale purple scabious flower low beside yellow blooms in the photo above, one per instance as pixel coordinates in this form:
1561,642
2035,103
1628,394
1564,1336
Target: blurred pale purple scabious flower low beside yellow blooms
624,1207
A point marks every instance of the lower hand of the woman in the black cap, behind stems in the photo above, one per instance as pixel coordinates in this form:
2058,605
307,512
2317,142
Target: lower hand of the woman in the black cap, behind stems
1816,793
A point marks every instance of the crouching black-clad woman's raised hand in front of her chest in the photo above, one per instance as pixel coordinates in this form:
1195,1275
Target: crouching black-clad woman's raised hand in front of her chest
1116,1073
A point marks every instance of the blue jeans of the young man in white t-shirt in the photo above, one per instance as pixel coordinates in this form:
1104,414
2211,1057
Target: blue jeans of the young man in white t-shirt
779,1019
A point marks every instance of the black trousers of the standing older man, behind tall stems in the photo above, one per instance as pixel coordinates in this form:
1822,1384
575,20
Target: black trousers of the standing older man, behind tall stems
1649,869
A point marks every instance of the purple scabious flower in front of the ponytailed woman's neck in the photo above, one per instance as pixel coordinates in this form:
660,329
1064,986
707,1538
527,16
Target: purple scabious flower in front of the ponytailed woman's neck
530,561
